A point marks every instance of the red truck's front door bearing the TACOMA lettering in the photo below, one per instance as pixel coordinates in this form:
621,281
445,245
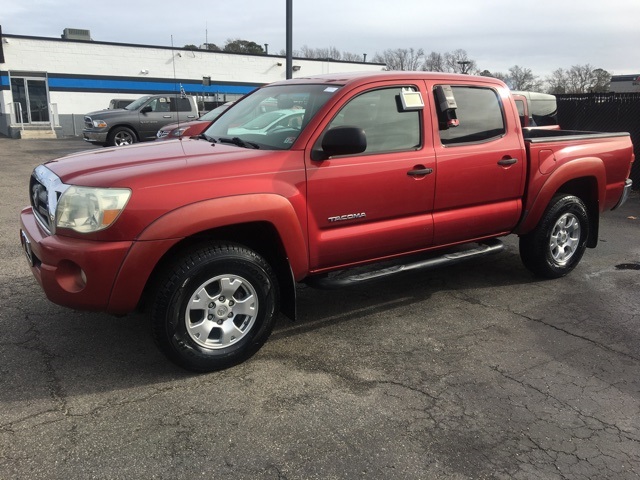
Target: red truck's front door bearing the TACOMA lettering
376,203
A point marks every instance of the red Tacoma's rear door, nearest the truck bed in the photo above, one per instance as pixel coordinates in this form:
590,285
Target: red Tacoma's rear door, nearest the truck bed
481,166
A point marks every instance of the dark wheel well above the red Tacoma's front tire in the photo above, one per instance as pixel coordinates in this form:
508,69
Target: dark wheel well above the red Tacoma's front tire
261,237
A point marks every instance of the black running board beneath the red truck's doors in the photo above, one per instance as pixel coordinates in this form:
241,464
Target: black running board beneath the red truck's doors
487,247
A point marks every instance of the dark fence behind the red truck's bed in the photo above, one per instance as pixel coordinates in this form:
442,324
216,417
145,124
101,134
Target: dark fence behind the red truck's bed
604,112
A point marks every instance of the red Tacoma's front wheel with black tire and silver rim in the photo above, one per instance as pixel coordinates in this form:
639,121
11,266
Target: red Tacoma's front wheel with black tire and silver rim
241,296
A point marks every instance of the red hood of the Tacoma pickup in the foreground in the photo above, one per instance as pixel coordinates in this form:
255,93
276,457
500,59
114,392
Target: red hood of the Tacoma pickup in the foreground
121,166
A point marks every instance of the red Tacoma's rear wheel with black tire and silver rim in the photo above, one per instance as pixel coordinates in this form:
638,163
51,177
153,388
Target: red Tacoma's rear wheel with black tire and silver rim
557,244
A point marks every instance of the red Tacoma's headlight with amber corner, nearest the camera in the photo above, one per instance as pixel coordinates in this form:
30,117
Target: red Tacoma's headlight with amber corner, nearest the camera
87,210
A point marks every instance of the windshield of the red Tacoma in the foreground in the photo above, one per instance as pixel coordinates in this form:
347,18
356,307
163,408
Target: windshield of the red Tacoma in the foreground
272,117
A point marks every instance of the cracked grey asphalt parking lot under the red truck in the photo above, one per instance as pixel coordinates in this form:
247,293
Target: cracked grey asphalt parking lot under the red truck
474,371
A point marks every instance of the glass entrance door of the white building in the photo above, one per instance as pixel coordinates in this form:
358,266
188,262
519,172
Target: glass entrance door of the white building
31,104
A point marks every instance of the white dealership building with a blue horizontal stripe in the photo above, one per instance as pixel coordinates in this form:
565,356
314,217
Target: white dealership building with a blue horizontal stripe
48,84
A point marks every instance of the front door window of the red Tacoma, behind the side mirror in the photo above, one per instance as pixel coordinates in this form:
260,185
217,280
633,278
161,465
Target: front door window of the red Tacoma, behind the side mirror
386,125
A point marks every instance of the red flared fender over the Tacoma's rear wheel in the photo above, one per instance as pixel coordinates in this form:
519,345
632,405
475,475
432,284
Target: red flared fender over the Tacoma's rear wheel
543,188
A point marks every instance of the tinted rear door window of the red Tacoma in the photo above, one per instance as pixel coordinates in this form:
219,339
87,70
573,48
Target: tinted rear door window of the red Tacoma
480,115
